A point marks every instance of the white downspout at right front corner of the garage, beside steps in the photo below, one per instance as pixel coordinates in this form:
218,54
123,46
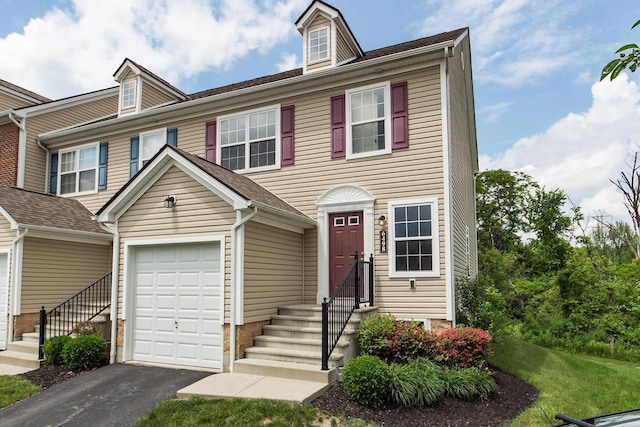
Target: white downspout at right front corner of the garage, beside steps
237,277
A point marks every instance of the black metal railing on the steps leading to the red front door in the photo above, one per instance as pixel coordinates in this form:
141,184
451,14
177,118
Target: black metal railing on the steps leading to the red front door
348,296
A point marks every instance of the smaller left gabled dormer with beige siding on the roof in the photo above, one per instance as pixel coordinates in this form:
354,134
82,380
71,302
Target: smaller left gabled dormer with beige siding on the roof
141,90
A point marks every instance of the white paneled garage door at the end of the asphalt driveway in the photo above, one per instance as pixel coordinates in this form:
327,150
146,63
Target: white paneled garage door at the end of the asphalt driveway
177,305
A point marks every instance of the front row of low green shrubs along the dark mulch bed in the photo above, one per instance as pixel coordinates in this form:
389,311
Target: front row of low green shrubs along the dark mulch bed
371,382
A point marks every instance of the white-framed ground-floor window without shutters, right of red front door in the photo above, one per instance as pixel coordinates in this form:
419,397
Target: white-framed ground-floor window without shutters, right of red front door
414,237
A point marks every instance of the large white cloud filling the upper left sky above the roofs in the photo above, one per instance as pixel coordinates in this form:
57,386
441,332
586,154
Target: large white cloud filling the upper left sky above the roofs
74,50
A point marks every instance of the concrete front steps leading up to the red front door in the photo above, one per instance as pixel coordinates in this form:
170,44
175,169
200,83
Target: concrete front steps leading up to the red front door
291,347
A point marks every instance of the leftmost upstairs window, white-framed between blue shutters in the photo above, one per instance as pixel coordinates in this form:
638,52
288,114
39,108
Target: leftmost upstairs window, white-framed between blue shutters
78,170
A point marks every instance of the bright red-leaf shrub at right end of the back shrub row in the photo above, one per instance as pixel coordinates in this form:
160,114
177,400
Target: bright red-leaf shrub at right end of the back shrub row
463,347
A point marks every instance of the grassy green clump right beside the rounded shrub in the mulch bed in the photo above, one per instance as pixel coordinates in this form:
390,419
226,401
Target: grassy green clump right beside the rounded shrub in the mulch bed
417,383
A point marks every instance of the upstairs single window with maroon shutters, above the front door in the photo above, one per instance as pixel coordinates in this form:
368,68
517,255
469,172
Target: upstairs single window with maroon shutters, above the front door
368,119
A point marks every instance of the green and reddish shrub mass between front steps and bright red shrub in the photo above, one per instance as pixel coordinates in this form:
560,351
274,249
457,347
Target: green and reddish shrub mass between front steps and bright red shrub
394,340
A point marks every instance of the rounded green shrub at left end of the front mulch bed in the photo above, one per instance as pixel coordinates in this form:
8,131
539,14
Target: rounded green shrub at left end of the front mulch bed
366,380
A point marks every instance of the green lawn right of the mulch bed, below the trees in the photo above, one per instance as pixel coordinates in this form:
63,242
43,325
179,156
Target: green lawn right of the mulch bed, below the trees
575,385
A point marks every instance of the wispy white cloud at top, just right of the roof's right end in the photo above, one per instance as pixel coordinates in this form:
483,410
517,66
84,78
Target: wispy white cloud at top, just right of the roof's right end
514,42
